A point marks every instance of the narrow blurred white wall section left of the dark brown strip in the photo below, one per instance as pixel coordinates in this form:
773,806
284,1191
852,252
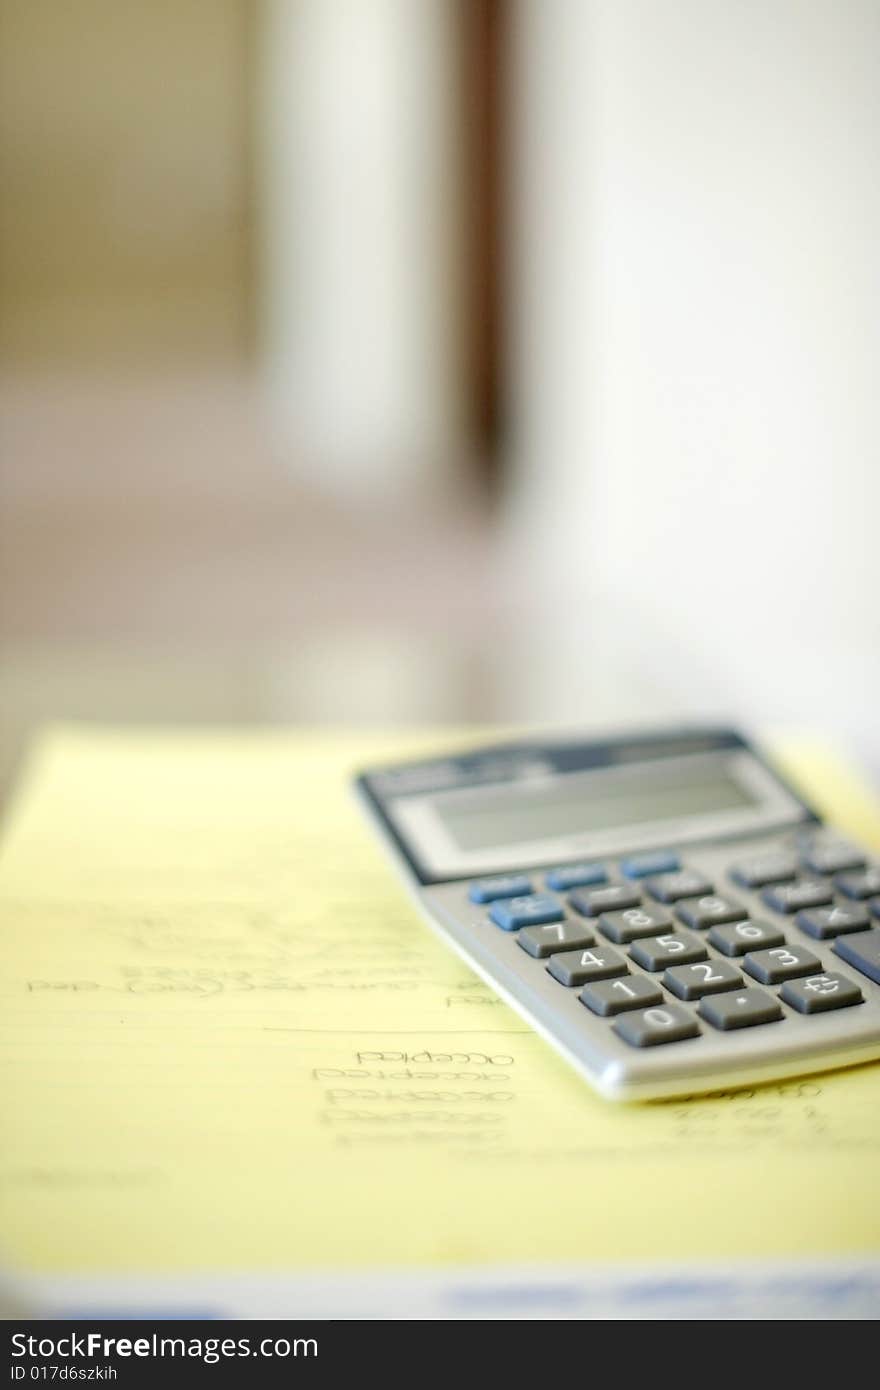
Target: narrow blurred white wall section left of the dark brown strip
359,179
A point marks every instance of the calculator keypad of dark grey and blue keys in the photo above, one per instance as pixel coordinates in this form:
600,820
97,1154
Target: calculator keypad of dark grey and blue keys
689,942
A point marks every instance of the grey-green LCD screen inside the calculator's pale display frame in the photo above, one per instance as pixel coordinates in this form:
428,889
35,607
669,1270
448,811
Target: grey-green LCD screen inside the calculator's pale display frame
589,801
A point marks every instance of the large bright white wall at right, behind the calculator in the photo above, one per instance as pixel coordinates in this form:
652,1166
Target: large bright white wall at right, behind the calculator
694,375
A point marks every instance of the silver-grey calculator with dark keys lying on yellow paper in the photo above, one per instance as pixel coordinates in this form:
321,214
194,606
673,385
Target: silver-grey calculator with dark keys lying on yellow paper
664,908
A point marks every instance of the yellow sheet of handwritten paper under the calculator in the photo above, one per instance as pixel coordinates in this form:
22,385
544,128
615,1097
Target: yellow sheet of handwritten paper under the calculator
230,1043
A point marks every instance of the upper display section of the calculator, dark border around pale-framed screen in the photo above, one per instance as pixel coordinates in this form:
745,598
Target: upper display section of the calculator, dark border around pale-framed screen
512,807
